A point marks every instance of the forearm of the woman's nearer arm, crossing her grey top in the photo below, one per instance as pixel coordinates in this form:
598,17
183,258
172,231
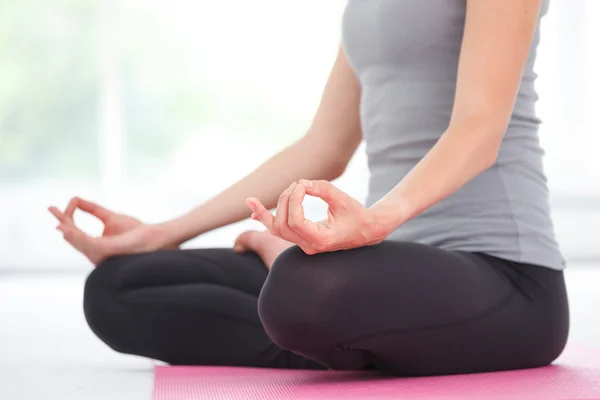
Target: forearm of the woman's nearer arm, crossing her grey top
462,153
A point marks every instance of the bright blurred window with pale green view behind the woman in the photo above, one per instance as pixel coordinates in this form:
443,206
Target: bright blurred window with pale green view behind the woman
153,106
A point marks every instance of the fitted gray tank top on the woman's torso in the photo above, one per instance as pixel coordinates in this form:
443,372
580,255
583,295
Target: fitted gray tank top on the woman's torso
405,54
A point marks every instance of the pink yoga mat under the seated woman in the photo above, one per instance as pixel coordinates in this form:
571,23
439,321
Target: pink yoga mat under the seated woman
575,375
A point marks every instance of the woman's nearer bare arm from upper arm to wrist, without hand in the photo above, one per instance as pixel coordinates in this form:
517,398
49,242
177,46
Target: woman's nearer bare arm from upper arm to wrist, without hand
496,43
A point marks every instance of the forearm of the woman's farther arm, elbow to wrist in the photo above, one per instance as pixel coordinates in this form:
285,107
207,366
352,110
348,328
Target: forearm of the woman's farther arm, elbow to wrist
267,182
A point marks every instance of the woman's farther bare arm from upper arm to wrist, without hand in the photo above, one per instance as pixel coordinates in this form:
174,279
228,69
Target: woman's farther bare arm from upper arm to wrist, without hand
323,153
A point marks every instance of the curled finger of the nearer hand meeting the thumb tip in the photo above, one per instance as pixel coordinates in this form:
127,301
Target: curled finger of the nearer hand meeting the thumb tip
315,234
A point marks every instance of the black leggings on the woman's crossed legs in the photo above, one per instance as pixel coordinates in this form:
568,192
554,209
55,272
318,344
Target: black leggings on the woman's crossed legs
403,308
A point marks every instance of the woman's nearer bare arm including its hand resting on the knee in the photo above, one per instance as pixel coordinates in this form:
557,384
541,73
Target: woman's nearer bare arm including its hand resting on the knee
497,39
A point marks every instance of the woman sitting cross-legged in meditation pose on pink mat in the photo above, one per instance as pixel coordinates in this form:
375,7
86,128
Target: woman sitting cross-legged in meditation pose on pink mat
452,267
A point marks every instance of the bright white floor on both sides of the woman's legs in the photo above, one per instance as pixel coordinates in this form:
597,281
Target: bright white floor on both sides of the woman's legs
47,351
